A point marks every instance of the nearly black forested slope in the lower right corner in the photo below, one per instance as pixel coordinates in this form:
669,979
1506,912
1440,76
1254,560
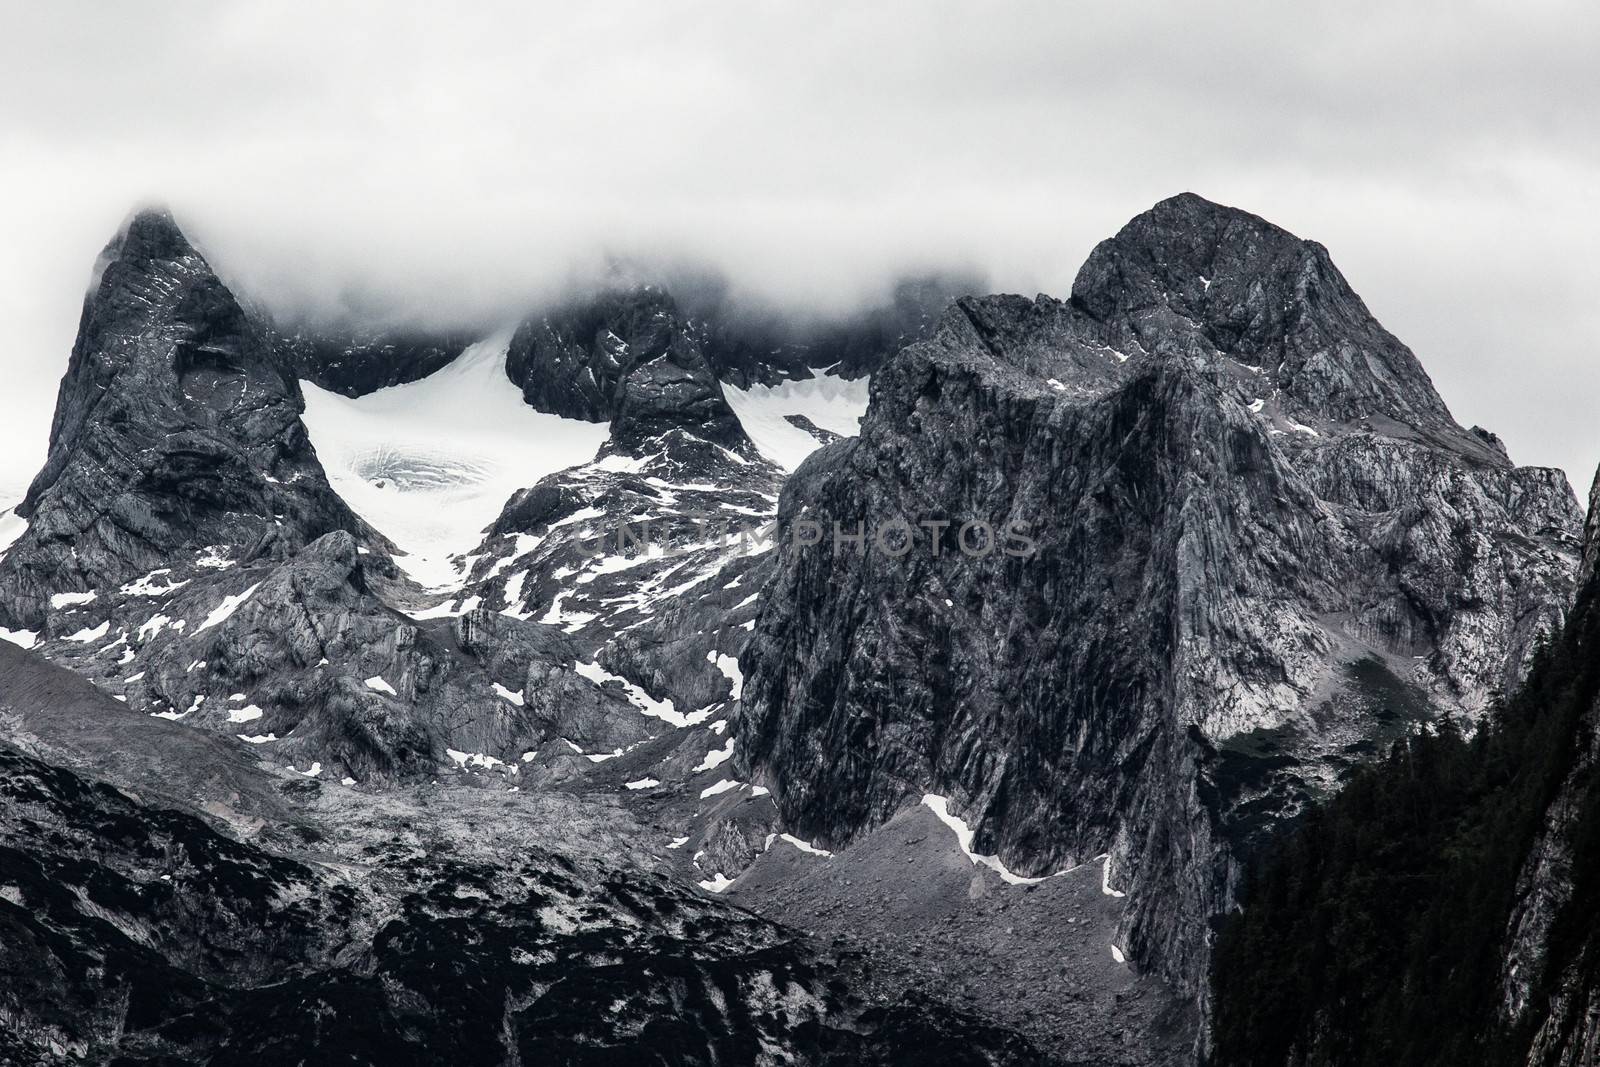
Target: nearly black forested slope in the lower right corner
1439,911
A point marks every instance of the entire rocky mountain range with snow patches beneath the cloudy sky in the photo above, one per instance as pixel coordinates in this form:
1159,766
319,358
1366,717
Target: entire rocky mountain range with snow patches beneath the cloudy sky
652,681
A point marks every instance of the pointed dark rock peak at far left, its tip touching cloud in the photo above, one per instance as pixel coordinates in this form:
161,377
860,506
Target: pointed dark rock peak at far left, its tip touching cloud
177,433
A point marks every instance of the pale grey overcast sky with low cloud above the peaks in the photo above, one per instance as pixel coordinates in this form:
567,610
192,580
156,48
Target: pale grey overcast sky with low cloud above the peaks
454,164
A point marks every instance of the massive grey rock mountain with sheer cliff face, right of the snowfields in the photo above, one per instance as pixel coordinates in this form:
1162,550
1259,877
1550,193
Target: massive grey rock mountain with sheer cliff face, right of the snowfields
1260,548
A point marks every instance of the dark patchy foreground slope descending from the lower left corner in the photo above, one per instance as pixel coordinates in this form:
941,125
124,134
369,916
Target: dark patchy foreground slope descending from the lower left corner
378,930
